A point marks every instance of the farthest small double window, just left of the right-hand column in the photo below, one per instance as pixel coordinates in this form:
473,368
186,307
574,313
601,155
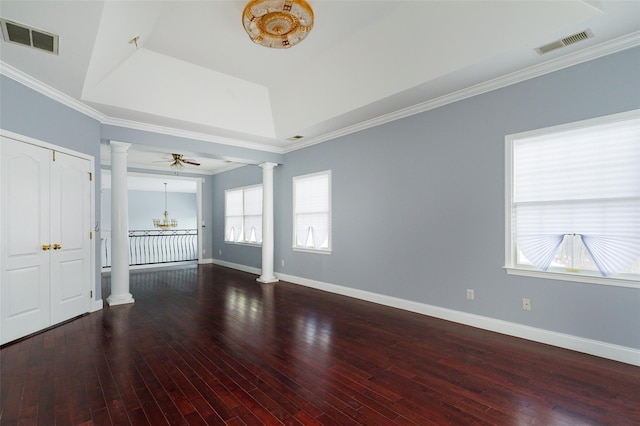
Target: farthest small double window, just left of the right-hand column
243,215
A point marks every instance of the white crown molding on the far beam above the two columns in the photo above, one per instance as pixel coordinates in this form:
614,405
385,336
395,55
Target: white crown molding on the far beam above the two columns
171,131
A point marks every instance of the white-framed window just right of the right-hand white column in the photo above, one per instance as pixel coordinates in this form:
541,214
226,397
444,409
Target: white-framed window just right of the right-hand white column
312,212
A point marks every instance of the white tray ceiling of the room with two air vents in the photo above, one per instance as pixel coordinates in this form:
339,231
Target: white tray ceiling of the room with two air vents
195,69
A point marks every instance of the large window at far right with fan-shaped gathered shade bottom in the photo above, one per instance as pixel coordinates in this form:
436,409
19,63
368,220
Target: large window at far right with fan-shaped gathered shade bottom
573,201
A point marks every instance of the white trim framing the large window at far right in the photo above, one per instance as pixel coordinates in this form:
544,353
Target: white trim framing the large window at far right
510,265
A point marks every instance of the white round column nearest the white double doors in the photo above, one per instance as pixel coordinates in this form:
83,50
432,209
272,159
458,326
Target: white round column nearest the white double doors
119,226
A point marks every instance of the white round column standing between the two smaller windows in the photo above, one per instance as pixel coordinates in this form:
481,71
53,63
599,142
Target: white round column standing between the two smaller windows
267,224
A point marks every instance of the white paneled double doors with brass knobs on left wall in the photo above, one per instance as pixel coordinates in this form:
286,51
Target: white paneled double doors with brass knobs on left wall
45,260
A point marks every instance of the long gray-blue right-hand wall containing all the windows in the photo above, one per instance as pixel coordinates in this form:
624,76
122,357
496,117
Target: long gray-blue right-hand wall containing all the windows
418,205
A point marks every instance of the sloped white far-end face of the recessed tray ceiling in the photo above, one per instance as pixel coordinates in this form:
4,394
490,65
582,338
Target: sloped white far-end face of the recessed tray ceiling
161,85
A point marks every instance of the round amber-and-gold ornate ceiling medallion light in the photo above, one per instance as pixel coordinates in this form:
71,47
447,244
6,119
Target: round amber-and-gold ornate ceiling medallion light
277,23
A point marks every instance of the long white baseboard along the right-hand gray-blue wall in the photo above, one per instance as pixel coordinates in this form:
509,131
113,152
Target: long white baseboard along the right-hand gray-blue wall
592,347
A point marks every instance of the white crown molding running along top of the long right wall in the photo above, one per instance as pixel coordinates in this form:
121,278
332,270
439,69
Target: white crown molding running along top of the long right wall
603,49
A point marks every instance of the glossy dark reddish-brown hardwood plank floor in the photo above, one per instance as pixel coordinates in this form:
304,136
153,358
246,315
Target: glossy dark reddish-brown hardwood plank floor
209,345
